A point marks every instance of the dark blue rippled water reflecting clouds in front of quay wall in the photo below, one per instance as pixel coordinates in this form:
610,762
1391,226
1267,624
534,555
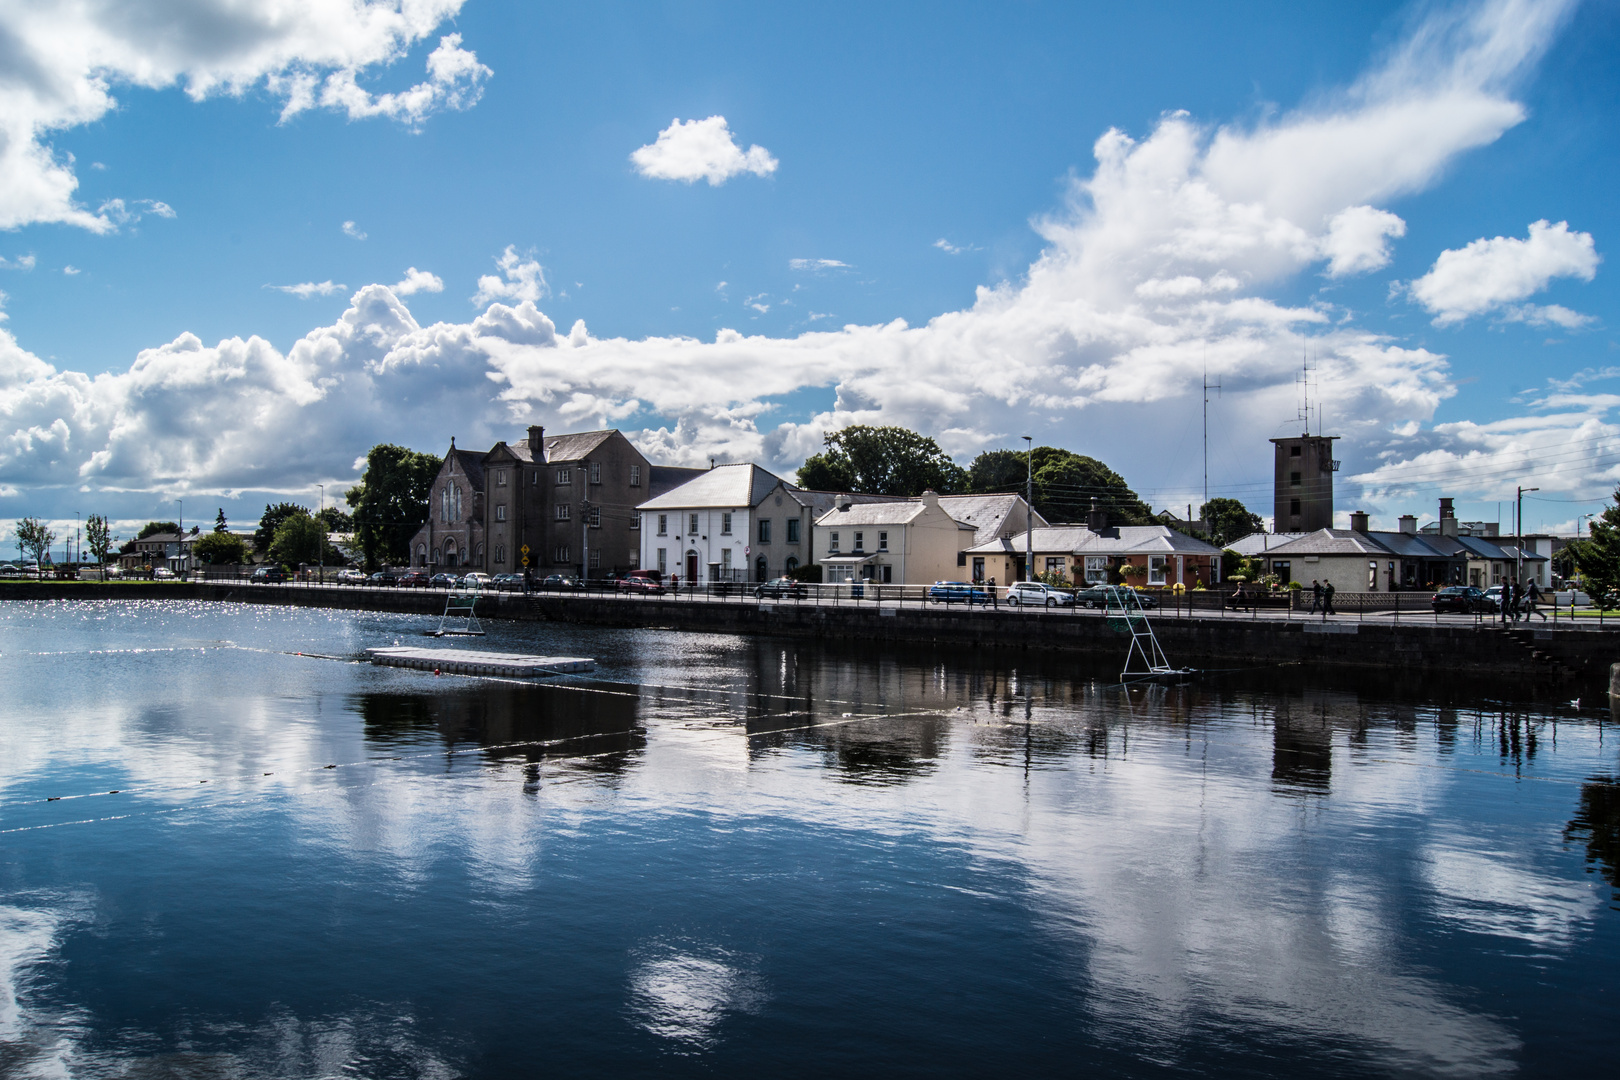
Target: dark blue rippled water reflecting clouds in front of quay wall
740,856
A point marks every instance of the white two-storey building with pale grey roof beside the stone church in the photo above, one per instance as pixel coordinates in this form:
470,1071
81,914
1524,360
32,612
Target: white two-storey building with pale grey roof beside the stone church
731,524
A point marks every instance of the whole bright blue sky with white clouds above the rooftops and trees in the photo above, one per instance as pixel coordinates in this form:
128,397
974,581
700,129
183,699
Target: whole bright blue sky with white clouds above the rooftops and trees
1292,182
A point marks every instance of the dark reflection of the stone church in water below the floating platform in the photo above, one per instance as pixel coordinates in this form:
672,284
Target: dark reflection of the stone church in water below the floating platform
532,721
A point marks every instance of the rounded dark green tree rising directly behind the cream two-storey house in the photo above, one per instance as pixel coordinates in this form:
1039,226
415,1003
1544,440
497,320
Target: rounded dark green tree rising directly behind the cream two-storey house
882,462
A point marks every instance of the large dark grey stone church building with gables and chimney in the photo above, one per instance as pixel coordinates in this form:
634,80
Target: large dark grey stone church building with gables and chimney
568,500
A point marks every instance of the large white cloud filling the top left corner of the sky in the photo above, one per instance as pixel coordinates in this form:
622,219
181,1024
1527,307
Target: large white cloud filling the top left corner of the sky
66,61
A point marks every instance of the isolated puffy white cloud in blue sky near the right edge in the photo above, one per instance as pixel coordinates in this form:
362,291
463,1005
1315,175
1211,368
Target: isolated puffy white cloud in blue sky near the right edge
1491,274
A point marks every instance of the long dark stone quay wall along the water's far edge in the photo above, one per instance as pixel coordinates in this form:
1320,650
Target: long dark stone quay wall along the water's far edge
1541,657
